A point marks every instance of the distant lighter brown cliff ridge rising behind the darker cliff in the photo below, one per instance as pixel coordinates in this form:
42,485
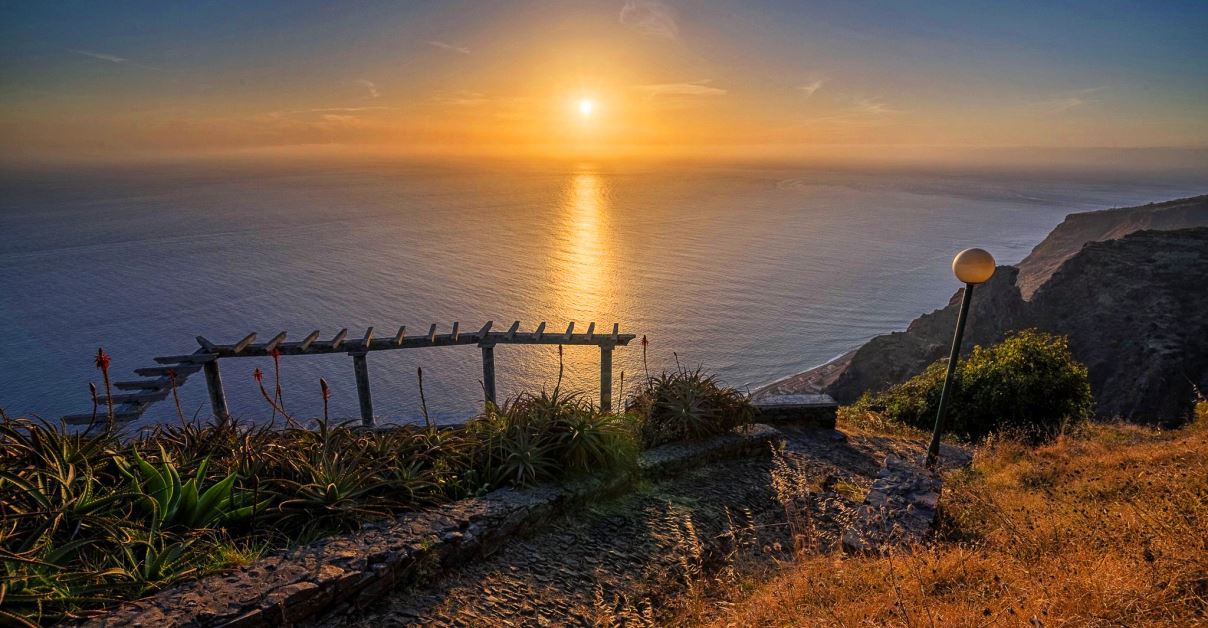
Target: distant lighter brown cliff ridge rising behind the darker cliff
1100,226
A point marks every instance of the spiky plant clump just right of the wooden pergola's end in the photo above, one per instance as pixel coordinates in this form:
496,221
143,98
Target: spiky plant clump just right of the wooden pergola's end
684,405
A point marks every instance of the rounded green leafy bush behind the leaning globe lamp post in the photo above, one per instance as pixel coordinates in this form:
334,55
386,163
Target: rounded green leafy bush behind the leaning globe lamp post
1030,383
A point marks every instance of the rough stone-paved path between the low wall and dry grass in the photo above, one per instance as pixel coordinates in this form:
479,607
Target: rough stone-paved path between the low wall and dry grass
636,560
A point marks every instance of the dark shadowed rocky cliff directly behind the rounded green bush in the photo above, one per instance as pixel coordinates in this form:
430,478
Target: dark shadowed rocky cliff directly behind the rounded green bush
1136,311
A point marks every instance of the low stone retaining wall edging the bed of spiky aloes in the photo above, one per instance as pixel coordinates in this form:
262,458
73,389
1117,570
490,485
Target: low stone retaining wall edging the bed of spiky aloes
353,569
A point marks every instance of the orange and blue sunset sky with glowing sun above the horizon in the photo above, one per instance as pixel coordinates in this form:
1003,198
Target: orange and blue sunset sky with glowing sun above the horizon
664,78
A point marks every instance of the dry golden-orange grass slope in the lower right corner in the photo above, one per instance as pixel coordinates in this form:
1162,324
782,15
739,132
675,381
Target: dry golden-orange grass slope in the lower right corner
1106,527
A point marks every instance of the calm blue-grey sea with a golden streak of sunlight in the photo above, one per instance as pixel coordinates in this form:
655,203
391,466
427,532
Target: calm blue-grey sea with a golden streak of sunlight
756,272
